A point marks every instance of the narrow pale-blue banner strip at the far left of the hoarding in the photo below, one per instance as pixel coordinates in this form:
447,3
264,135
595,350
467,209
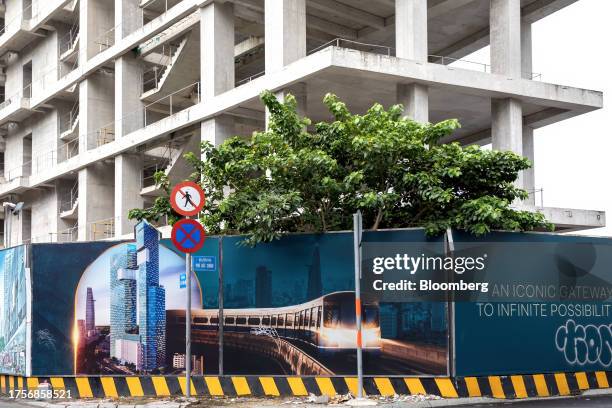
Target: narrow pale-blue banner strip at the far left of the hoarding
13,309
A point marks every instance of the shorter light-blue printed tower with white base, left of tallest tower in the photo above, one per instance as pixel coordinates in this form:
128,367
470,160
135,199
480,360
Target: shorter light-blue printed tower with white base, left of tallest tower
123,324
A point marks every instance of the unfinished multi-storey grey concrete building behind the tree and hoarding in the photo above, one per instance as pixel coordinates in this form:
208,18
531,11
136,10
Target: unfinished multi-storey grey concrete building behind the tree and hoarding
100,94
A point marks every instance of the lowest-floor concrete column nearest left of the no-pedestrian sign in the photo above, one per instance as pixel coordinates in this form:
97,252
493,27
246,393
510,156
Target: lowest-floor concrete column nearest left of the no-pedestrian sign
128,174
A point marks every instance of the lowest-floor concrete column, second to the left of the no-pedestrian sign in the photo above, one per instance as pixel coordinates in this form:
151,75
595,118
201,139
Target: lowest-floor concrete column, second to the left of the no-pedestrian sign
96,200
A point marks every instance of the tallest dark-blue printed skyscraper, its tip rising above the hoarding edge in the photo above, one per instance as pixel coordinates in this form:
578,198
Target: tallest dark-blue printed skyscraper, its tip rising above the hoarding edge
151,298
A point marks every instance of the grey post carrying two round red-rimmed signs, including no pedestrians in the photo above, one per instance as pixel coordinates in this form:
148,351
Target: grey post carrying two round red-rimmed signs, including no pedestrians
187,198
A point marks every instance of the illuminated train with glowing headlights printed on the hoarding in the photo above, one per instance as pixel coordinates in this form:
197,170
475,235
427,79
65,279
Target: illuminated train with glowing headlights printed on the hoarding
327,322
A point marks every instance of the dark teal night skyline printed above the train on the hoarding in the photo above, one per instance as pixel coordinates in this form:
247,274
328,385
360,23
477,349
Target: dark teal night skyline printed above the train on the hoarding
312,266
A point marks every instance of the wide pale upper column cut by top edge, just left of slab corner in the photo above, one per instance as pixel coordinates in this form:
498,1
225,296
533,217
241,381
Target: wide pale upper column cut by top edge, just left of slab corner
285,32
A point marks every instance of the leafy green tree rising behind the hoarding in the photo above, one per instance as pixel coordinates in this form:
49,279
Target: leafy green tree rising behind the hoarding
295,177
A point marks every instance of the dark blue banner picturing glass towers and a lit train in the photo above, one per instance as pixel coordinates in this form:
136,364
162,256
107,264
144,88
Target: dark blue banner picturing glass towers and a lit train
118,308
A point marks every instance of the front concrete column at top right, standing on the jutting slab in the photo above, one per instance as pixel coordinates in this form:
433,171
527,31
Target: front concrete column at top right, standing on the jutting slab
505,34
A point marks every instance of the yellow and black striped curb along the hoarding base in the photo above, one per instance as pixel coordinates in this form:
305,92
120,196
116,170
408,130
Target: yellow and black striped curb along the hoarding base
514,386
